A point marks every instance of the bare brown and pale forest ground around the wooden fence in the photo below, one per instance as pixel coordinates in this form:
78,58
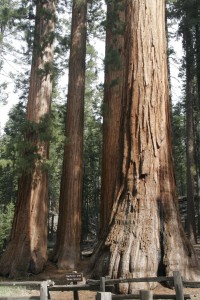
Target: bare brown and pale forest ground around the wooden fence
59,277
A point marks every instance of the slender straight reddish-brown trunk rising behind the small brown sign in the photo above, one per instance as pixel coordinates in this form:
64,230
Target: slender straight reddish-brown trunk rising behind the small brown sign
67,251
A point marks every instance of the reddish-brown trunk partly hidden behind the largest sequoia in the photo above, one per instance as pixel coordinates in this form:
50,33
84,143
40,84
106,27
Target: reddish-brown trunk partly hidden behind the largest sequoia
112,106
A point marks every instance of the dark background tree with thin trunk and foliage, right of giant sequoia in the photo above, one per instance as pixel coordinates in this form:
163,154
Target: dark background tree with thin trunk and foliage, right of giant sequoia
188,20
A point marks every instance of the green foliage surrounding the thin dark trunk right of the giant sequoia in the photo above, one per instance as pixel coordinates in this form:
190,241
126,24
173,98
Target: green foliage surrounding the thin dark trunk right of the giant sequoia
186,14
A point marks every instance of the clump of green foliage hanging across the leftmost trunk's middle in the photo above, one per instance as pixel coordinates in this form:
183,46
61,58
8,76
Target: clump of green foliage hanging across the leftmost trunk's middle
22,137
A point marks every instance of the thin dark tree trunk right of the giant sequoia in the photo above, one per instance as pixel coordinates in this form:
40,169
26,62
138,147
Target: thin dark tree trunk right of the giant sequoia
190,154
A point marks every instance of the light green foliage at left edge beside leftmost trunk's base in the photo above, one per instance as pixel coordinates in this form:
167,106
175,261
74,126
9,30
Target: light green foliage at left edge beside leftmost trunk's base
6,218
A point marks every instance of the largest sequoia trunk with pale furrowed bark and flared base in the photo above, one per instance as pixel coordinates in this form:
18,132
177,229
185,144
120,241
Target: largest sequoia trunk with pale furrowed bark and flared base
144,236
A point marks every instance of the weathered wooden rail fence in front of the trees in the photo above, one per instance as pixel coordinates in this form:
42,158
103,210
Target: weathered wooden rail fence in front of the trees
104,286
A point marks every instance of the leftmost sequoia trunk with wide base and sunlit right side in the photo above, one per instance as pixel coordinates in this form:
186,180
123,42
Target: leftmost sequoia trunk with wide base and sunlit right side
27,249
